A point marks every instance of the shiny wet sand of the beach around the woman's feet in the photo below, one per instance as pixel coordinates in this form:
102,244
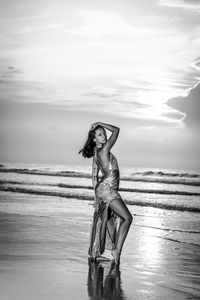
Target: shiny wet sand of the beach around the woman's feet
44,244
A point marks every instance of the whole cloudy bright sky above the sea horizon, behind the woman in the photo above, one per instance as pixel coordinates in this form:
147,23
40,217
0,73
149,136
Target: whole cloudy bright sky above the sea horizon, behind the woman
67,64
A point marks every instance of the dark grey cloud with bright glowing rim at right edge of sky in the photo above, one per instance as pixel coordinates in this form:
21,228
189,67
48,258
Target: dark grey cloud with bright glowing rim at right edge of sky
190,106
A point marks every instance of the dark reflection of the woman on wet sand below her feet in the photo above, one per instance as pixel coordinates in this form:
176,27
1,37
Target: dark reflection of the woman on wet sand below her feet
104,282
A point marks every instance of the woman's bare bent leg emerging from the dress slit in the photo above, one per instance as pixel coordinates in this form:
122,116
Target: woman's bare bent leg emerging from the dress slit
121,210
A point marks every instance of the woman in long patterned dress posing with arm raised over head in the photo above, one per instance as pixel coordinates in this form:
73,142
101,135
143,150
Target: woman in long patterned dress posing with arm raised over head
107,232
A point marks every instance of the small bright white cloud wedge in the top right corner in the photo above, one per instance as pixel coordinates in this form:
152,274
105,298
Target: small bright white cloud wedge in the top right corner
188,5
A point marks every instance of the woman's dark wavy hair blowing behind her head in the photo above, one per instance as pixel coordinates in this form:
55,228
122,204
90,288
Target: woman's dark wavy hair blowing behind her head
88,148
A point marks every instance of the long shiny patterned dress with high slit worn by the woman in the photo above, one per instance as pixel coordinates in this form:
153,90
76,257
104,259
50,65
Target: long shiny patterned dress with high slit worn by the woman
105,223
